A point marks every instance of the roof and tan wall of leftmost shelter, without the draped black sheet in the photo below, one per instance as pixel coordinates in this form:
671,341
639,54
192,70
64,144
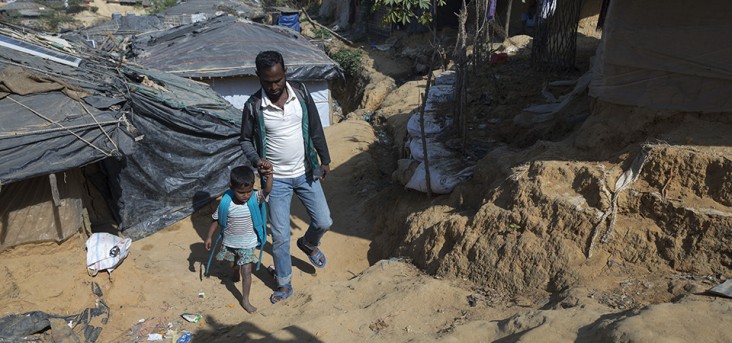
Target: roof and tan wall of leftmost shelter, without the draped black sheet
58,111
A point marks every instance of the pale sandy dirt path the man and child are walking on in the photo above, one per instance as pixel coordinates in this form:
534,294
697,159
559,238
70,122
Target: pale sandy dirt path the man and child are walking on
352,299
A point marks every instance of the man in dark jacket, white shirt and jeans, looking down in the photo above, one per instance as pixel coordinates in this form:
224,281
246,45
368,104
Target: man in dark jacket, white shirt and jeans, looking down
281,124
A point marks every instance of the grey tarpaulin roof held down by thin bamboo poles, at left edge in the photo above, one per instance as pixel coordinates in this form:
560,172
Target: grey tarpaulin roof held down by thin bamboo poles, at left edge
56,117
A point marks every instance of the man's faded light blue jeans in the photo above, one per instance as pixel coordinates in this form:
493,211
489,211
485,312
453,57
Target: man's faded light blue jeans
310,193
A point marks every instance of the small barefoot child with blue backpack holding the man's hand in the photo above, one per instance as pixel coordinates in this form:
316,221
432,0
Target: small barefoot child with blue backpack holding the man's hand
242,220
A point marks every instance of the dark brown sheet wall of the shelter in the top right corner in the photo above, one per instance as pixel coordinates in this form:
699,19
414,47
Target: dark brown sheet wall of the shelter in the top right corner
666,55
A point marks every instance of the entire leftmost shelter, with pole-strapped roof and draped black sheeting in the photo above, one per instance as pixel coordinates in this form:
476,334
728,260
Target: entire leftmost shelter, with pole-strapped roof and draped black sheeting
165,143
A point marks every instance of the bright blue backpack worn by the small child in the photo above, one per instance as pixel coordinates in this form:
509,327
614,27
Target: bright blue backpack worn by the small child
259,219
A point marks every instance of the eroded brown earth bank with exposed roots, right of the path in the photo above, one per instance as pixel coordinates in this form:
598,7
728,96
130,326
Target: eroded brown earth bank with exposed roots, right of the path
628,212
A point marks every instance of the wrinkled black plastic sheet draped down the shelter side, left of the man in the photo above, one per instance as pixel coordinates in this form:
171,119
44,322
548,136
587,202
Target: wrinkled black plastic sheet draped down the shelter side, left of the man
190,143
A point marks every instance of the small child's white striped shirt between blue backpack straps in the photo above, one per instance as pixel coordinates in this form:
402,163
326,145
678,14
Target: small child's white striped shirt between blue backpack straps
239,232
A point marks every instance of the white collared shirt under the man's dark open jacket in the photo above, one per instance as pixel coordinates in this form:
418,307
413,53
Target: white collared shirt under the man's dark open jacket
284,141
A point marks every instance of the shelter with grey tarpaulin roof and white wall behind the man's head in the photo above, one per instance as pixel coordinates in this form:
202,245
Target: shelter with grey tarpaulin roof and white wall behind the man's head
221,52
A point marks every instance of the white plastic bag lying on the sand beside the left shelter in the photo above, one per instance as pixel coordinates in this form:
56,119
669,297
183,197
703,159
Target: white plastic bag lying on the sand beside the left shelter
105,251
